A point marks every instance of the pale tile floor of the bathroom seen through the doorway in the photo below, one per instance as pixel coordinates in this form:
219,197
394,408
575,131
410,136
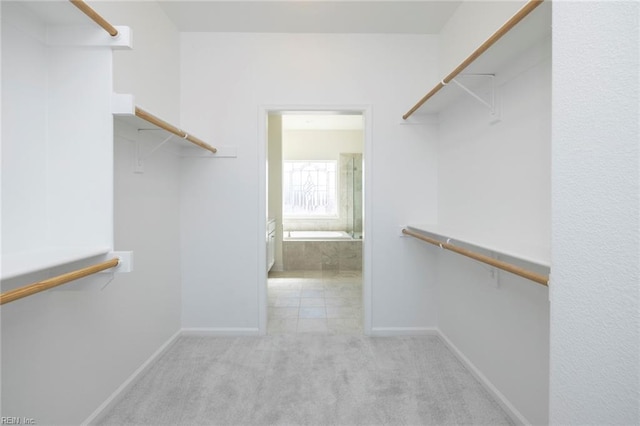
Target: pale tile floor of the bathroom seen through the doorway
315,302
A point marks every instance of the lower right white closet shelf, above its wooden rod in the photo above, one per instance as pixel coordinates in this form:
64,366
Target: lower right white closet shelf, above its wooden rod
519,250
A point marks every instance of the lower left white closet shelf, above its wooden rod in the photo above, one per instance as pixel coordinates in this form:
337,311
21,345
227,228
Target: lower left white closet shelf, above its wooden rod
16,264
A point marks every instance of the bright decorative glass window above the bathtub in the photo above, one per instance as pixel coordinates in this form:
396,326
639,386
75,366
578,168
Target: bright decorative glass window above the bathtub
309,188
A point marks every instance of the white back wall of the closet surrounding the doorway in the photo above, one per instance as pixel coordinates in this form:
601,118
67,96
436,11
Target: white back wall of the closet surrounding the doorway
226,80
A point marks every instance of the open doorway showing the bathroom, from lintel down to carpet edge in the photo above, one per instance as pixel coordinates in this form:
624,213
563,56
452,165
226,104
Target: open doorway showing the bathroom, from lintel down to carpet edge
315,218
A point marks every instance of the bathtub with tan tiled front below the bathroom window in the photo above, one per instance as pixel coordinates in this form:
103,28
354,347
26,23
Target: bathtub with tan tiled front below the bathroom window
321,251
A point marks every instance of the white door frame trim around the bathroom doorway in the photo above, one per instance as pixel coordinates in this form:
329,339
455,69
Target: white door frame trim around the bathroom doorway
263,112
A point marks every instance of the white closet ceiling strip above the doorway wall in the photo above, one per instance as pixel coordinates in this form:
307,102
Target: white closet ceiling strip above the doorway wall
309,16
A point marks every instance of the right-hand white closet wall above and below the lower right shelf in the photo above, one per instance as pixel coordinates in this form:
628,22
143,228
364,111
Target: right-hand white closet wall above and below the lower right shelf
494,185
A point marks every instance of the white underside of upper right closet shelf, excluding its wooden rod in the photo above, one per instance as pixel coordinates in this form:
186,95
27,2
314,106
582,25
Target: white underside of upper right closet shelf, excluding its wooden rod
532,30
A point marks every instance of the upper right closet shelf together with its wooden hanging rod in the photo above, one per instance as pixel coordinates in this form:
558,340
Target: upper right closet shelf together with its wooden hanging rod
531,30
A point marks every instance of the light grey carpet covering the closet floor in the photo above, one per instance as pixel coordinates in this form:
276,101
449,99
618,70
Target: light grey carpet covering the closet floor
298,379
